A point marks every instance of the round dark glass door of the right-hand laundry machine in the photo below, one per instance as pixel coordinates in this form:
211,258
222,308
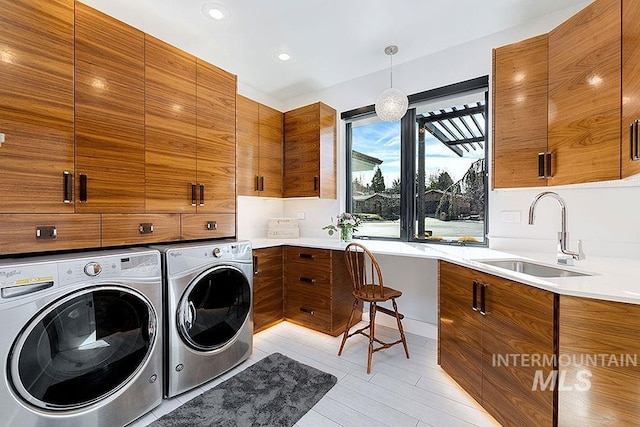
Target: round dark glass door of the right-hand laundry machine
214,307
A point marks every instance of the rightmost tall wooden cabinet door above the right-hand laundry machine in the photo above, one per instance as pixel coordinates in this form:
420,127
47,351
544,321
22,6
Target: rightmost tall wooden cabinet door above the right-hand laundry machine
216,137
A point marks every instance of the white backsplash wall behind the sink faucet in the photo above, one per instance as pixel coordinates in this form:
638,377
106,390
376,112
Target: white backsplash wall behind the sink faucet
603,215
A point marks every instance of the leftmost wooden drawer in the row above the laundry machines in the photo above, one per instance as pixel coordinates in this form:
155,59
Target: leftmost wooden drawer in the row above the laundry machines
19,232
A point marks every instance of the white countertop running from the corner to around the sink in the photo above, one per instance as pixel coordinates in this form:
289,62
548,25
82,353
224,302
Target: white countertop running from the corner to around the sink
611,279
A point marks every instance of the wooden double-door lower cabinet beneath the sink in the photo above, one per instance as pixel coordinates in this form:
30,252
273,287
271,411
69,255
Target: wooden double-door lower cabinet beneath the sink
494,338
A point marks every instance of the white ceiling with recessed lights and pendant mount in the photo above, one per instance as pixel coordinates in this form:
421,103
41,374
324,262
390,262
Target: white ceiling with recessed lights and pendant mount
331,41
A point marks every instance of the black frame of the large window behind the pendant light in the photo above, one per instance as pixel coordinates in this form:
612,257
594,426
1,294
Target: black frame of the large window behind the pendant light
407,157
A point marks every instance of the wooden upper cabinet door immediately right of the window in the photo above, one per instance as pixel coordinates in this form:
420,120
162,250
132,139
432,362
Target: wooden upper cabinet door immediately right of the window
519,112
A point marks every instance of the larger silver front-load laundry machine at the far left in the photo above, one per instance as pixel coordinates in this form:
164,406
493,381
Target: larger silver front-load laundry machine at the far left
80,343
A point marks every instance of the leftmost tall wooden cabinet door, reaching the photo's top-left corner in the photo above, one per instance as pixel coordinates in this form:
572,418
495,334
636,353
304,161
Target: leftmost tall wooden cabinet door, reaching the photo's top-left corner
36,106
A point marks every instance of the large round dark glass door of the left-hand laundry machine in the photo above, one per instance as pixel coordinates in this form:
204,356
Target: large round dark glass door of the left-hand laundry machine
82,348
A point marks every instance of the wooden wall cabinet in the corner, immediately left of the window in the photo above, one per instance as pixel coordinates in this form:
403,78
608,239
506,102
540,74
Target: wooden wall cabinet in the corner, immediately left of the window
310,152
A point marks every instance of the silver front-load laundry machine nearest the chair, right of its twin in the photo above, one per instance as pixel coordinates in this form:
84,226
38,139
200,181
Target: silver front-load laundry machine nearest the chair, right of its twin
208,316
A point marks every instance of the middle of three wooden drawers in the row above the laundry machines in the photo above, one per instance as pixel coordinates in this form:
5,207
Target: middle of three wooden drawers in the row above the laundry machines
126,229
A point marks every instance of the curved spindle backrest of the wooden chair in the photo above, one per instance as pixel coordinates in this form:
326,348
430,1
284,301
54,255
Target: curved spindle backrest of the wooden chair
365,271
